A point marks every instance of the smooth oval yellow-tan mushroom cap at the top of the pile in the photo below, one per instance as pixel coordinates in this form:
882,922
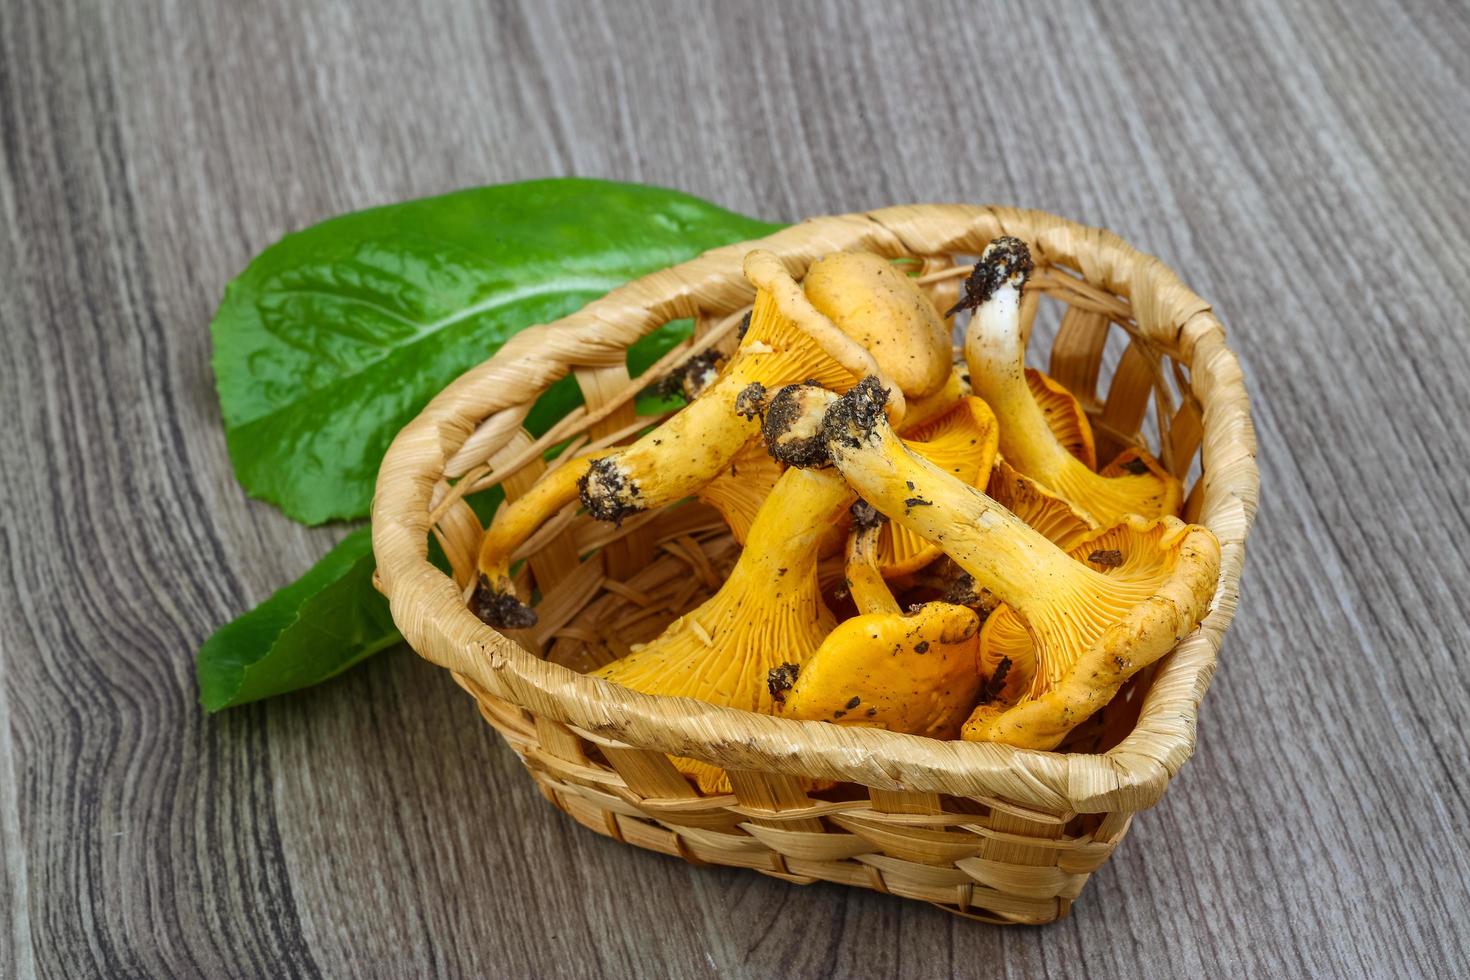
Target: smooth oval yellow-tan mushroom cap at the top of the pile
886,312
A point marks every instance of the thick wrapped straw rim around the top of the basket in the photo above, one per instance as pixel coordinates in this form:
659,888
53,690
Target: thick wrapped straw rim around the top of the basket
492,399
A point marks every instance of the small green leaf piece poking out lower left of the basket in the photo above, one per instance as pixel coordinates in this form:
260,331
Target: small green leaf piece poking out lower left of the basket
312,630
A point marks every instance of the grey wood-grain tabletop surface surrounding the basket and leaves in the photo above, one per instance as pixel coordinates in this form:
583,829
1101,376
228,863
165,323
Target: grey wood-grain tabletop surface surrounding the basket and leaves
1305,165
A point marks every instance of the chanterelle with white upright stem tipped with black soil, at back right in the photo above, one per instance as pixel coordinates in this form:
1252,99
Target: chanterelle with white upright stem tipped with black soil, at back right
997,353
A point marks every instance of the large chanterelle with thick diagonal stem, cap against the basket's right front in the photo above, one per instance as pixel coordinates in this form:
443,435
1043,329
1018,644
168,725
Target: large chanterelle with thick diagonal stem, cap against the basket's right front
1090,631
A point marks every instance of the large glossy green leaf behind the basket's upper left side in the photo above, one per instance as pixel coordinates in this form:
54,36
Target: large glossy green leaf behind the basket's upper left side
336,337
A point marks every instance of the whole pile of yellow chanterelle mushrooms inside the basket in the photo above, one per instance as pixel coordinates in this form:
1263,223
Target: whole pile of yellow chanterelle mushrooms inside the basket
1003,587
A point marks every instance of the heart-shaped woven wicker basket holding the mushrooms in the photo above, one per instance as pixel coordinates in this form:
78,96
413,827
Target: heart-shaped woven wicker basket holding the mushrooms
999,834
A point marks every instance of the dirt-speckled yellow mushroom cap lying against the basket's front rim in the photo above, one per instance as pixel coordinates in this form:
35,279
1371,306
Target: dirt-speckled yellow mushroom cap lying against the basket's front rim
905,674
